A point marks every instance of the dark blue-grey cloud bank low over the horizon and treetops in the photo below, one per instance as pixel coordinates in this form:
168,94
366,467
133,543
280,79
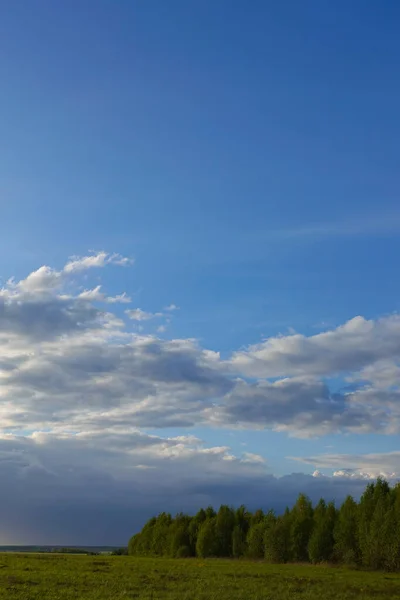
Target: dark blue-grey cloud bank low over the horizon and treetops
98,488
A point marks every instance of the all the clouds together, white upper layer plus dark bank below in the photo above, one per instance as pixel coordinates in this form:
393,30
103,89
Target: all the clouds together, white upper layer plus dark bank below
79,384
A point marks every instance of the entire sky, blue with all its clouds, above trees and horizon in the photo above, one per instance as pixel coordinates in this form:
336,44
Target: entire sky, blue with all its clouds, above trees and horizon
199,241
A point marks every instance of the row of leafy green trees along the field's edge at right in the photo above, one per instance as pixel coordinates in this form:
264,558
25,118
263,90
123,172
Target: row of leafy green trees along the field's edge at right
364,533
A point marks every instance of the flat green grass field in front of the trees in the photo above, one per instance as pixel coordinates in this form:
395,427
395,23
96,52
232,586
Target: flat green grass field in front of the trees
59,577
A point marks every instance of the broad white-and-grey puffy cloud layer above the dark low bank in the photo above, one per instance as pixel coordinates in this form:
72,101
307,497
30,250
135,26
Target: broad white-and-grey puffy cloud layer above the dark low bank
64,359
